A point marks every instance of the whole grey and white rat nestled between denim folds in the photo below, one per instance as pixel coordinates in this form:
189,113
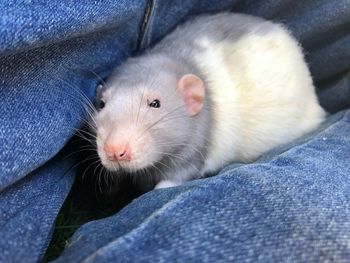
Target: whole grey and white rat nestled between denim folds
219,89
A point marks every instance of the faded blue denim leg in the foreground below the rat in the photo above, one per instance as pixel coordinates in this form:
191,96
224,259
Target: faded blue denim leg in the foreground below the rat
291,206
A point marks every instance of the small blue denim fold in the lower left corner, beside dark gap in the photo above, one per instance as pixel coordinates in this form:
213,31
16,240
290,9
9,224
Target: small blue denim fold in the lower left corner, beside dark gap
28,209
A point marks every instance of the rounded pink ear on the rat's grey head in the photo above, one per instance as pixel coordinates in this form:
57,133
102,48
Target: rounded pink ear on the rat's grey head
192,91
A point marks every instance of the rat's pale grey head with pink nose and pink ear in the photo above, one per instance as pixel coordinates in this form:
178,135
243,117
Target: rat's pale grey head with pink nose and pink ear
141,121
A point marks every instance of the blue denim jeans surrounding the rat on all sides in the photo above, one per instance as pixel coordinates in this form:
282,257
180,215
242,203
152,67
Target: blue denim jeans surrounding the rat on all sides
291,205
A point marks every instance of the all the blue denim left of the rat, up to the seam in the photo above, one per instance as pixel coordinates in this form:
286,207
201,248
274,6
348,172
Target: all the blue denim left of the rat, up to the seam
47,52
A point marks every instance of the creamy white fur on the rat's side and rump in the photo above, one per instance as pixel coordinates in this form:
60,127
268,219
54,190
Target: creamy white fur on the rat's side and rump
262,94
